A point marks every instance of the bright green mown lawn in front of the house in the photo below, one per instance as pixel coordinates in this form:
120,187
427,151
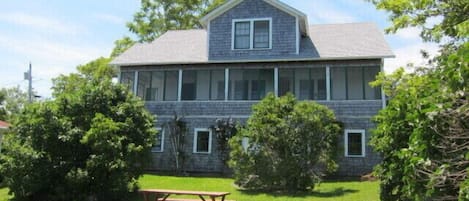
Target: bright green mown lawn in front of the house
326,191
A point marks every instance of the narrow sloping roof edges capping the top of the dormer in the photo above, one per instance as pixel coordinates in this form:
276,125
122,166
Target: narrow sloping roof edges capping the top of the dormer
303,19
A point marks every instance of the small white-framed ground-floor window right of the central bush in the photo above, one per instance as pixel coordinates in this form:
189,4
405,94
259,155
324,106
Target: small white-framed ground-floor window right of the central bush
354,141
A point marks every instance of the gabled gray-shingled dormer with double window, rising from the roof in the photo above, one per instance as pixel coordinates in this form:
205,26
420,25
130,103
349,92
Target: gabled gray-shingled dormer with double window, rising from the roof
254,30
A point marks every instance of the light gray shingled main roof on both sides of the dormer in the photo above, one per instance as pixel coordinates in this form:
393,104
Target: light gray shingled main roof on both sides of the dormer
326,42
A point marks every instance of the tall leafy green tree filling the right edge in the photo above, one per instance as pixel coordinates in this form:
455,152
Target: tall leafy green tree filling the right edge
421,134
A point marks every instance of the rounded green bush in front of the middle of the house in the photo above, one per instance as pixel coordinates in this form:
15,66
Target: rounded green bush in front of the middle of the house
287,140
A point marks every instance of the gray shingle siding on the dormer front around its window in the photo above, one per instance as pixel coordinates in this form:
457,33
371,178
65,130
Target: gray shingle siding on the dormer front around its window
283,32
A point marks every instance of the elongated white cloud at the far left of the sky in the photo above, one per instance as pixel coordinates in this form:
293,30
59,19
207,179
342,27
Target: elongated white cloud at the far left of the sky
40,22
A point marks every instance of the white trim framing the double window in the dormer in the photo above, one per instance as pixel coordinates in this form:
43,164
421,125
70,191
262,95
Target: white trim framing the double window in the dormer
251,34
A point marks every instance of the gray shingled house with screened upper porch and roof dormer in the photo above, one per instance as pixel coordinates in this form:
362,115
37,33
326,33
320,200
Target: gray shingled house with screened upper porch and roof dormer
247,49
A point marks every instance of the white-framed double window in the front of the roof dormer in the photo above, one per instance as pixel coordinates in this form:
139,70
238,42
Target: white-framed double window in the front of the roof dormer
252,34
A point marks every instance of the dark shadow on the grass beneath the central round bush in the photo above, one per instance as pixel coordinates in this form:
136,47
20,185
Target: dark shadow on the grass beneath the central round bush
337,192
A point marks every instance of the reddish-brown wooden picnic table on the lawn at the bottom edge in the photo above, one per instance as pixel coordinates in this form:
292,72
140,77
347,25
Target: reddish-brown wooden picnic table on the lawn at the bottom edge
164,194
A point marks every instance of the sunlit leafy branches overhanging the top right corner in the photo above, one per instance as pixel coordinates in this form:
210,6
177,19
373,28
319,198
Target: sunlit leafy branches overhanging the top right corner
451,16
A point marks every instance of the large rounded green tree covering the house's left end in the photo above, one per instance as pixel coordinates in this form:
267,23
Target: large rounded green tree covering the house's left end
91,142
